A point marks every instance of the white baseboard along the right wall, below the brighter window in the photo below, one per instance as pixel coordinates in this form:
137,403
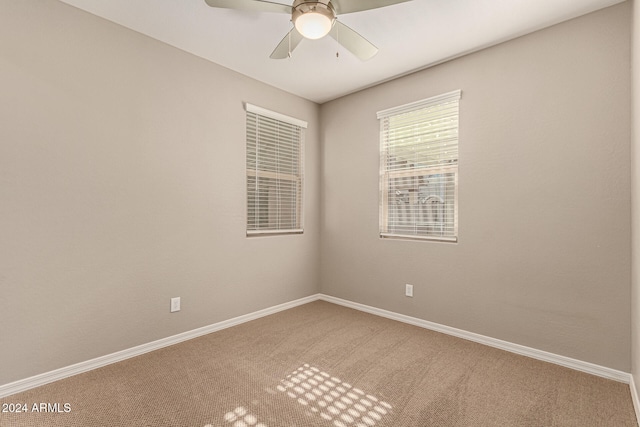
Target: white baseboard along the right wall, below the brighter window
568,362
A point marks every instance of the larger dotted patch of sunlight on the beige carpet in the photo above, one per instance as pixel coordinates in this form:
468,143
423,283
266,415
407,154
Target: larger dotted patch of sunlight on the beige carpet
332,399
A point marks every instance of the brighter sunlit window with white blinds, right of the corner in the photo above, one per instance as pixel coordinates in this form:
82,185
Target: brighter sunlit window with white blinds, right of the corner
419,169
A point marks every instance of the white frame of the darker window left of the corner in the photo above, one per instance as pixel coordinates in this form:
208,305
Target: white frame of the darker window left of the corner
252,229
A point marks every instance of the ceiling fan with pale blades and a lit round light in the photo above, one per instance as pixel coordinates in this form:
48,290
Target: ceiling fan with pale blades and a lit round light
314,19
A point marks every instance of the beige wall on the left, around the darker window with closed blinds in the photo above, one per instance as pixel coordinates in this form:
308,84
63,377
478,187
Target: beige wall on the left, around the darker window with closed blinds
122,185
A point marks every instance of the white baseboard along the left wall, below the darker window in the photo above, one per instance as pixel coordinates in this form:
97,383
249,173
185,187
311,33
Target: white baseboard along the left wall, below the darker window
78,368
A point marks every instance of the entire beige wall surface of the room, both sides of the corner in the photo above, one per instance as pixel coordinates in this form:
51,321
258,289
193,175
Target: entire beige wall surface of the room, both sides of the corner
122,185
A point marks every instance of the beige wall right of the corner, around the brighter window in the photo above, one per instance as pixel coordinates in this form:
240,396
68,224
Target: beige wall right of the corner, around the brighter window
543,256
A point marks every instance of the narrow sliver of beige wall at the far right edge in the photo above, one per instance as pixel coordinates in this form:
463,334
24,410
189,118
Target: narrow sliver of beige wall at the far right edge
635,197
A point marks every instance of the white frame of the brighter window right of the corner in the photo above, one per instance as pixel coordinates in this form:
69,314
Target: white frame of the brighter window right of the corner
386,174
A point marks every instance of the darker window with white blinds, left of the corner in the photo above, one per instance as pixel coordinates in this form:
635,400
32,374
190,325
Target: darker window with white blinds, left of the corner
274,172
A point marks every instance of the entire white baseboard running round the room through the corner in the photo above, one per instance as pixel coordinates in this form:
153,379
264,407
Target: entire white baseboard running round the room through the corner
58,374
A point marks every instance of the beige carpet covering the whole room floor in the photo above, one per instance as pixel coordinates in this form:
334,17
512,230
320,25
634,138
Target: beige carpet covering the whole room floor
328,366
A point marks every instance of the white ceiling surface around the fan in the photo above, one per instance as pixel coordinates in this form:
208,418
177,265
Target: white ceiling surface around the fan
411,36
